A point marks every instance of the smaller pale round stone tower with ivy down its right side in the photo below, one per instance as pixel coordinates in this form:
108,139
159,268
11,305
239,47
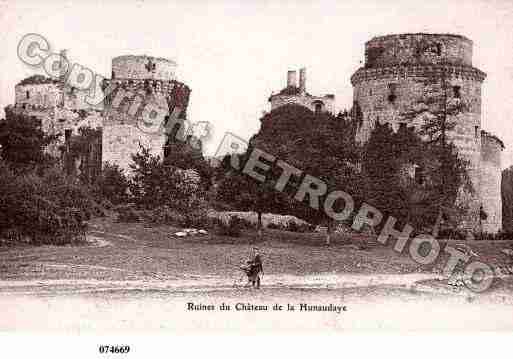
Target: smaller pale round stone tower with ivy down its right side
145,93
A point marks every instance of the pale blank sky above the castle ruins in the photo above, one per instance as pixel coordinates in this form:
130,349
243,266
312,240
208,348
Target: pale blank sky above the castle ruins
234,54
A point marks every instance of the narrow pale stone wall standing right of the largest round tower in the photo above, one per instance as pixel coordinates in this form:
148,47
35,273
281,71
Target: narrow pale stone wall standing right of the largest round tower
491,177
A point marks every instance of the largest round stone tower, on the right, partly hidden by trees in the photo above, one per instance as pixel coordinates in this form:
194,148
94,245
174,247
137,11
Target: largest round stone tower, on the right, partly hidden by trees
402,82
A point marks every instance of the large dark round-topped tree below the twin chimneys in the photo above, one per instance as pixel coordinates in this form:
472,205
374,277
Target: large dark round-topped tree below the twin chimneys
320,145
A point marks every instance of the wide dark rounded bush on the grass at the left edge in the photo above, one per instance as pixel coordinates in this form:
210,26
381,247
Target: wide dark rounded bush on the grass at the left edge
47,209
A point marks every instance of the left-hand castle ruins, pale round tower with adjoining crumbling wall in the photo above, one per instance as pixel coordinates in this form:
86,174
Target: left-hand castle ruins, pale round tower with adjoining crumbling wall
140,83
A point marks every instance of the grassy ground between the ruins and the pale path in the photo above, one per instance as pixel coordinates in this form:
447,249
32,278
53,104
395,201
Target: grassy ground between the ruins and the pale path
135,251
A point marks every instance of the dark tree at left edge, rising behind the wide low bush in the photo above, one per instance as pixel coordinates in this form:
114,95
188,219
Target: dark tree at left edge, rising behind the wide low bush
23,141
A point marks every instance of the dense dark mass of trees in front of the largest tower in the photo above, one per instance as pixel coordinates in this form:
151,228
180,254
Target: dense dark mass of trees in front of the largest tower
397,172
